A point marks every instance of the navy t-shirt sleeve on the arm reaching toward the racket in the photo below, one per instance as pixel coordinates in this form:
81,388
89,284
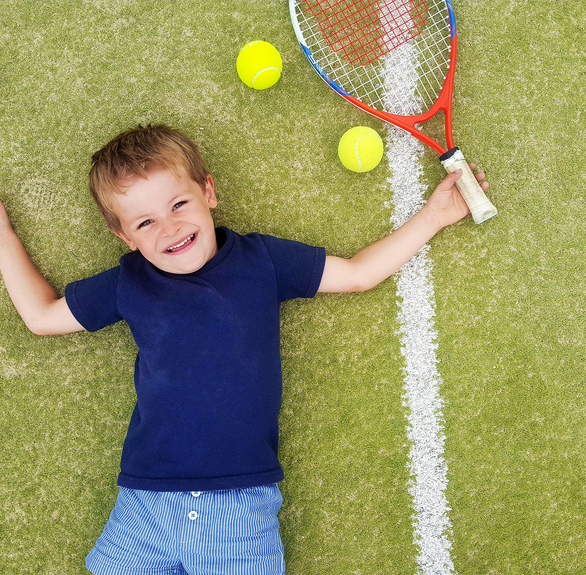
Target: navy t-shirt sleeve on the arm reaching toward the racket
298,267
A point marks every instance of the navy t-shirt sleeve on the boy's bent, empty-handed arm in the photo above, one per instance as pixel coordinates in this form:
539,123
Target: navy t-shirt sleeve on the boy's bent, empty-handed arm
93,301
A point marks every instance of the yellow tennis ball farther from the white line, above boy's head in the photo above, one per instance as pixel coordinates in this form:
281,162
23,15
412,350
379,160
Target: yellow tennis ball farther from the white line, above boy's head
259,65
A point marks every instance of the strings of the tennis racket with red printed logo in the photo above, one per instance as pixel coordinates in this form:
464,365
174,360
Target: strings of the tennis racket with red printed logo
407,78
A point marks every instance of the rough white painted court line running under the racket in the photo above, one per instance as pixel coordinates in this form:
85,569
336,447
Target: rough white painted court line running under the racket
431,524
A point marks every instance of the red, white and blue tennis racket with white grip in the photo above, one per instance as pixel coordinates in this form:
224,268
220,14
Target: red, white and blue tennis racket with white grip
396,60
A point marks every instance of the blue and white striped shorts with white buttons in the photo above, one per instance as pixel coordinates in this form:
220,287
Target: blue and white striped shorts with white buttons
232,532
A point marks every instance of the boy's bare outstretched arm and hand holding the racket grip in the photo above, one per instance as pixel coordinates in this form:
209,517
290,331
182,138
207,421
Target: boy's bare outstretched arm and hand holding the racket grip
380,260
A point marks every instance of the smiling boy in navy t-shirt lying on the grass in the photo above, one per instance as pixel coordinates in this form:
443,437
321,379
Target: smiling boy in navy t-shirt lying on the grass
199,471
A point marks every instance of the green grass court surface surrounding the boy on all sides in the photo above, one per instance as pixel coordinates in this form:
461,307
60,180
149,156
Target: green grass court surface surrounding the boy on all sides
510,293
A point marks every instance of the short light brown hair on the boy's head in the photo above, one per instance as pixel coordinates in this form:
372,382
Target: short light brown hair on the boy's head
133,154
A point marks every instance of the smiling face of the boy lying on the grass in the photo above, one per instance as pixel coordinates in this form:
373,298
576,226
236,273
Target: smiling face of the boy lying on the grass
167,218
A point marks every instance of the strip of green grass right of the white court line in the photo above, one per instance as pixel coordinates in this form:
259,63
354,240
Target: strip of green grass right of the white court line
512,328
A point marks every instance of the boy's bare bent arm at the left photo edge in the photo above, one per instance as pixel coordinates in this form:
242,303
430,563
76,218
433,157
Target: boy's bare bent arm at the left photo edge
36,301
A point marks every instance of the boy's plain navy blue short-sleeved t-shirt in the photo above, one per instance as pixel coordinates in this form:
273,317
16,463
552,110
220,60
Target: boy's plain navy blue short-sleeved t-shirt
208,371
